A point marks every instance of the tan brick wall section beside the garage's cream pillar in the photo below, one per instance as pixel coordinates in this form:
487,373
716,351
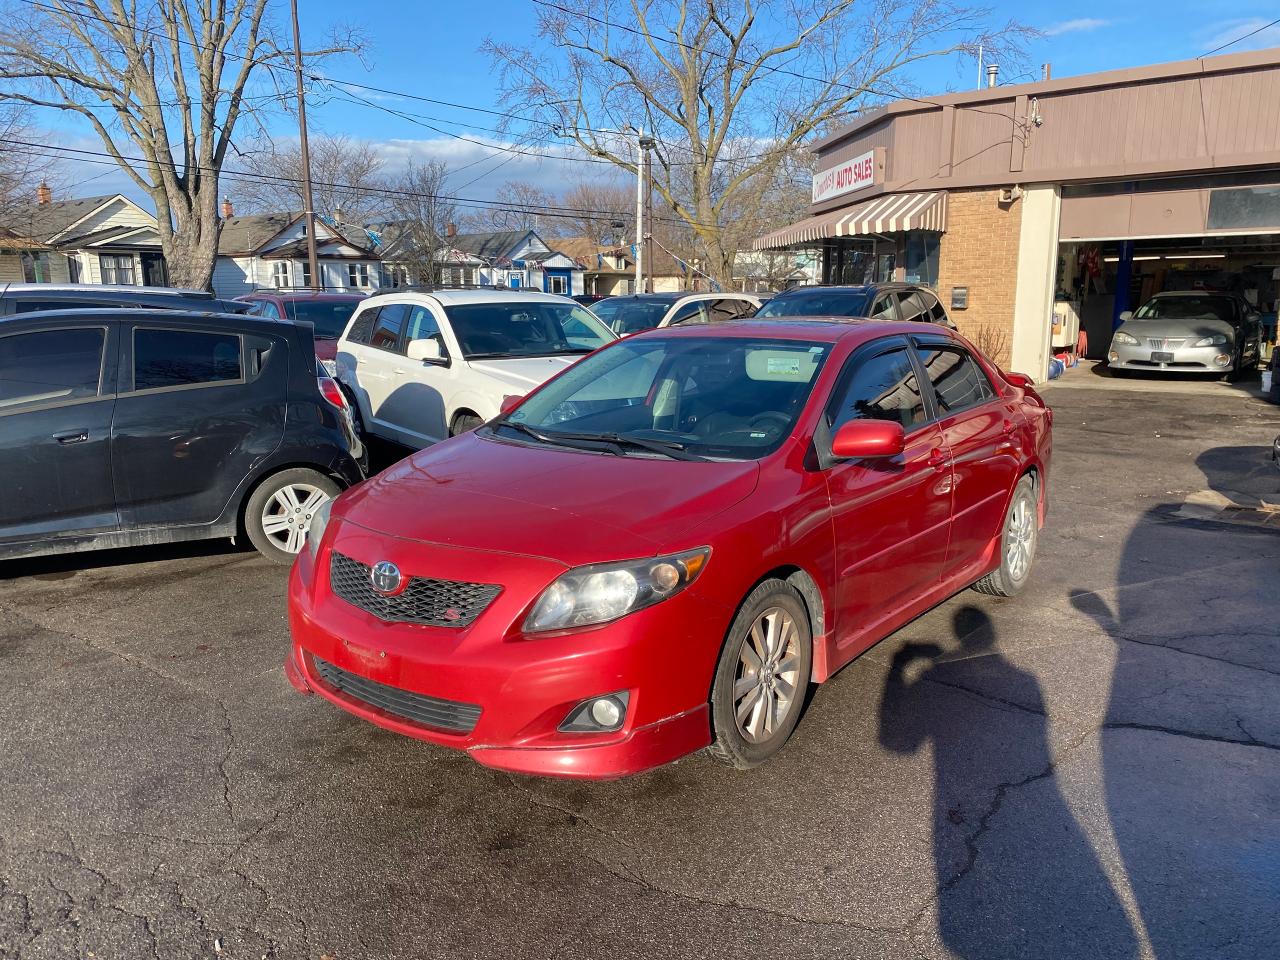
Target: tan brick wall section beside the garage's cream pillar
980,252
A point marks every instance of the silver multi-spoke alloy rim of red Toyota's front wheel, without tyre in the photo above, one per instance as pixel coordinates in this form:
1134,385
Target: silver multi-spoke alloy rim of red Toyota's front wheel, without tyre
767,682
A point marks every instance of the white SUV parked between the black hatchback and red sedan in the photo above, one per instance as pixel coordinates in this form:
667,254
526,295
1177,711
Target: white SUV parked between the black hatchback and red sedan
424,367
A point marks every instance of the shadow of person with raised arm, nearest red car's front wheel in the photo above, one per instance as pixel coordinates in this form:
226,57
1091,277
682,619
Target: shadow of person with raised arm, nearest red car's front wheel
1017,877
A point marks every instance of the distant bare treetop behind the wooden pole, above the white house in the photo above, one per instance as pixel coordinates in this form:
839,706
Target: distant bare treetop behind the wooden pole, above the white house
348,176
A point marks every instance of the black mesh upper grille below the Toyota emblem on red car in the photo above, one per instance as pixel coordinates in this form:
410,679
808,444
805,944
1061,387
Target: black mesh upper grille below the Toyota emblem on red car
437,604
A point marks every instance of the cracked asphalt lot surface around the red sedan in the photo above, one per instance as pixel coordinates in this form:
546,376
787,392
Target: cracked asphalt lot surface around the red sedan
1089,771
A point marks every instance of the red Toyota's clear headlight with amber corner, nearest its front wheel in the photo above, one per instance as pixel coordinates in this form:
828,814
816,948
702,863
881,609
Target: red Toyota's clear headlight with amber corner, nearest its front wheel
604,592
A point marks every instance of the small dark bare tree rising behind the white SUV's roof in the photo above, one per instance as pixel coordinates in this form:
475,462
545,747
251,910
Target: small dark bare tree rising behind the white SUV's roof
419,221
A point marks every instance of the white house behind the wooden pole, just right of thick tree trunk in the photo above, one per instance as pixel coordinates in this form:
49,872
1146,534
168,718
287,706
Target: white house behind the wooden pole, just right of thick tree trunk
271,252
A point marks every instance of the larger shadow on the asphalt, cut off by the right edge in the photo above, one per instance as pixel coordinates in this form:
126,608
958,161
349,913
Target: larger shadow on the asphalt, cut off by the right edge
1191,732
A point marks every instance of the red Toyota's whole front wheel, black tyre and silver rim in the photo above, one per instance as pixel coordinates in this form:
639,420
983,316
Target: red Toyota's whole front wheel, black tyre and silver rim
762,678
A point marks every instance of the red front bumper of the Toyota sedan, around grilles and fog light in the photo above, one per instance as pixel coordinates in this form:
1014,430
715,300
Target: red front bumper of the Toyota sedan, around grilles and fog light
524,688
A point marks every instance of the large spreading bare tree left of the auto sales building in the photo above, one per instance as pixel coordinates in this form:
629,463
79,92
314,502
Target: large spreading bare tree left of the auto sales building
730,92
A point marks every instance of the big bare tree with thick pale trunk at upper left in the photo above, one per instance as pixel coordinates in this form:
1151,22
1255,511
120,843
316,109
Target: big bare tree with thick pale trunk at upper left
164,84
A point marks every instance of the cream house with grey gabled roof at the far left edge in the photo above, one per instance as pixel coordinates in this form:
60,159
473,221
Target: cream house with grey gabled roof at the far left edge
94,240
